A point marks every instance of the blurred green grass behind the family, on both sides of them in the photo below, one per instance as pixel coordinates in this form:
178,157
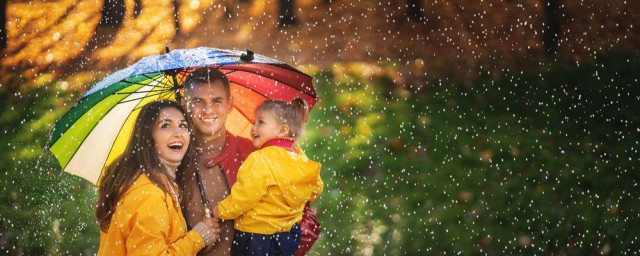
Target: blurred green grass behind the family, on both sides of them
519,162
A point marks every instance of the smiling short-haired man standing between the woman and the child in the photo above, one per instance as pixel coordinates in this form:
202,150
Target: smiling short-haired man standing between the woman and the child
220,154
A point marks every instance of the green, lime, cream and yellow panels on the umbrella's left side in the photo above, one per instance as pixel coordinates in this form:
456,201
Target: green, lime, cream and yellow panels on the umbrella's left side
96,131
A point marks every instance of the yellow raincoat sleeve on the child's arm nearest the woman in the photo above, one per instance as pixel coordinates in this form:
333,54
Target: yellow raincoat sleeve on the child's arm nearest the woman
251,185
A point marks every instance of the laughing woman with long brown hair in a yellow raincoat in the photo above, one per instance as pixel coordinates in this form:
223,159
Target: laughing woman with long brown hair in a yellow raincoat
138,207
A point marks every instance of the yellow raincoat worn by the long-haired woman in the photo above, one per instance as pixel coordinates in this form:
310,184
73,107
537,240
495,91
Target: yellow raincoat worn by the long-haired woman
148,221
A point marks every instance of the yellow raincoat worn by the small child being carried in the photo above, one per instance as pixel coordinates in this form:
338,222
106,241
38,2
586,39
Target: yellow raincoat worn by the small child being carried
271,191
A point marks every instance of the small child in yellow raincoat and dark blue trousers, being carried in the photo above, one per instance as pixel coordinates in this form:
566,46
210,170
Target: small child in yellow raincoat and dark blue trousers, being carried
274,183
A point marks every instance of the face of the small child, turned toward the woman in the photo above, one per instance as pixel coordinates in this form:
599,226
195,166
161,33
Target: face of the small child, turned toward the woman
266,127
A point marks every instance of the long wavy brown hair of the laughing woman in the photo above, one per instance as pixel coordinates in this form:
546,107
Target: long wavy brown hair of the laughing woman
139,156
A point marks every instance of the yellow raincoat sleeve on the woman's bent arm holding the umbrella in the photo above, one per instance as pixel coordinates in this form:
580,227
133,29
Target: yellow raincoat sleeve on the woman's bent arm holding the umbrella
149,227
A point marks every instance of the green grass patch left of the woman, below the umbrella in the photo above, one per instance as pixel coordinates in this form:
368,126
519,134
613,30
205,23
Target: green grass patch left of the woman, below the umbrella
43,211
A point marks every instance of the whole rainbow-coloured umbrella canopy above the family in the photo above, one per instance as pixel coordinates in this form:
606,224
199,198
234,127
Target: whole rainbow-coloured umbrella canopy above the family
96,130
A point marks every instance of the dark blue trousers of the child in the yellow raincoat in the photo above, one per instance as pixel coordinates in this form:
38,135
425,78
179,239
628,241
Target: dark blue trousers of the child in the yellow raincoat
285,243
